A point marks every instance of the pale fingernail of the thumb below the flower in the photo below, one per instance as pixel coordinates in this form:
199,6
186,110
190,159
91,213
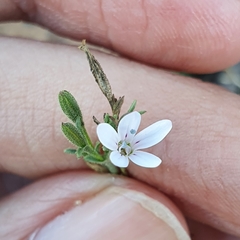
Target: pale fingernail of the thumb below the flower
115,213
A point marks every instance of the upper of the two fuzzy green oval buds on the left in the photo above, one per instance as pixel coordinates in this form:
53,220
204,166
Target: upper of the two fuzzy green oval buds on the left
70,106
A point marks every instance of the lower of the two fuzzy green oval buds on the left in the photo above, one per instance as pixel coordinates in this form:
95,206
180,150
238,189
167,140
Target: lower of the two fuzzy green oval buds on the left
72,134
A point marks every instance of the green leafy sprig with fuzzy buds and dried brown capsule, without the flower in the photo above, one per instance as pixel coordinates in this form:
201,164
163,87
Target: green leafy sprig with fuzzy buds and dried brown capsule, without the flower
96,156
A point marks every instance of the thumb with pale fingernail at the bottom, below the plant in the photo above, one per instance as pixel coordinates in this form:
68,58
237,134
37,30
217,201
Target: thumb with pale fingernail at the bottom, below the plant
90,206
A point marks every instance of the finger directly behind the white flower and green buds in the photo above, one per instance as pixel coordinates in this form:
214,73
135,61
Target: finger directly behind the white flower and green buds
200,156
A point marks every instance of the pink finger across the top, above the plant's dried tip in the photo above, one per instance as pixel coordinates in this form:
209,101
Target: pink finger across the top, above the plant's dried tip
195,36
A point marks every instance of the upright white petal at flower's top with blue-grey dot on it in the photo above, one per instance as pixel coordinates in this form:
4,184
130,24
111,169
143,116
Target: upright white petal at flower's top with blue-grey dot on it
128,126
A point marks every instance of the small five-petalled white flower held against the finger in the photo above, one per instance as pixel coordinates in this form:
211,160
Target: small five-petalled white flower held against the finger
125,143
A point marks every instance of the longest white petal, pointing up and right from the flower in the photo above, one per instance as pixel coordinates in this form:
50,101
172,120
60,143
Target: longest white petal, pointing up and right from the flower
152,134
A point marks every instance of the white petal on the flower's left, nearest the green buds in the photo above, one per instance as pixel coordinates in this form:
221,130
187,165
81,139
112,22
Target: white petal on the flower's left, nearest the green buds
108,136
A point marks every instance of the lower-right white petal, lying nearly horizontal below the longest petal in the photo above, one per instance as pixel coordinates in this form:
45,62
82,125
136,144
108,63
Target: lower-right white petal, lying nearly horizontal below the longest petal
145,159
